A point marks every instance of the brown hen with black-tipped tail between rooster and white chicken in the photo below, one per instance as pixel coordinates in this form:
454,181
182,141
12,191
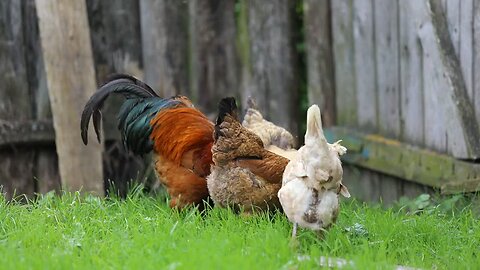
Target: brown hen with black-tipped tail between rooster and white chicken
245,176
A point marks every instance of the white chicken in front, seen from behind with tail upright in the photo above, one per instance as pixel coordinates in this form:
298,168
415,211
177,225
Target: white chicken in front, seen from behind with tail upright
312,180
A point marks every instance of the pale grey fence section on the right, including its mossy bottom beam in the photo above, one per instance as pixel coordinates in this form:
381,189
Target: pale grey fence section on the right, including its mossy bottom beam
407,70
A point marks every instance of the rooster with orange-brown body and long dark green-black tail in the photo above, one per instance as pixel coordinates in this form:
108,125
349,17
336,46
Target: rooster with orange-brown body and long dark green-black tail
180,136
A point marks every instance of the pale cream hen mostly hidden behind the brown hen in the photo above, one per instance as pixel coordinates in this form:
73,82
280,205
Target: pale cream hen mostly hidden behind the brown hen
272,136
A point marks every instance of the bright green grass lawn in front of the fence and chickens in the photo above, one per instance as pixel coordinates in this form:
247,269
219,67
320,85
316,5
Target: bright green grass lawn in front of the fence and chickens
142,232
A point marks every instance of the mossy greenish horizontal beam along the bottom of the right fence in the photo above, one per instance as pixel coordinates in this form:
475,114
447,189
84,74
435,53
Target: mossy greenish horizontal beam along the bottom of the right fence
402,160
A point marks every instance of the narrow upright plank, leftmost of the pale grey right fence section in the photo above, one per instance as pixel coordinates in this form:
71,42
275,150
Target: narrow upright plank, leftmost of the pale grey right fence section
343,49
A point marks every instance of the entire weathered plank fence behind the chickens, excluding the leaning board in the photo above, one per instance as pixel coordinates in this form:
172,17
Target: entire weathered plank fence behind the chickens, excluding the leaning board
401,69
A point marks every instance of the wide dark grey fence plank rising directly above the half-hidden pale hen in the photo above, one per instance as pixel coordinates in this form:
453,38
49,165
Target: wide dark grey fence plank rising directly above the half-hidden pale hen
271,66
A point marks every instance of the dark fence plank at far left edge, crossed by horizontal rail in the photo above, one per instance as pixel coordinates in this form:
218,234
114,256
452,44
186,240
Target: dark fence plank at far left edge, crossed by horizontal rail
15,164
